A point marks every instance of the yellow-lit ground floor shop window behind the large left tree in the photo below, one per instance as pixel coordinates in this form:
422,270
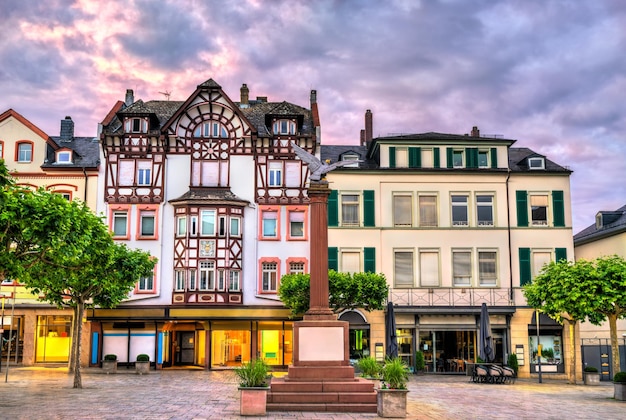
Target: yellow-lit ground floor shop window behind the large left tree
54,338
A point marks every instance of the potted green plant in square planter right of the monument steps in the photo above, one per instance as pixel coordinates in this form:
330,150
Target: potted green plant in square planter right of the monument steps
391,397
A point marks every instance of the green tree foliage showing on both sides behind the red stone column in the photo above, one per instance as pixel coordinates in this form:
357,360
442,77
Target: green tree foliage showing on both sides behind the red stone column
347,291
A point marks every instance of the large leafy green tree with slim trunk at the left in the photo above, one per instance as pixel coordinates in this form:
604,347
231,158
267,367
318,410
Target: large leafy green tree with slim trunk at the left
62,250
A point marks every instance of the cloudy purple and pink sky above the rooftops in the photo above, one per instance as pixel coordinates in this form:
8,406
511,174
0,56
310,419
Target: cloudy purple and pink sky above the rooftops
550,74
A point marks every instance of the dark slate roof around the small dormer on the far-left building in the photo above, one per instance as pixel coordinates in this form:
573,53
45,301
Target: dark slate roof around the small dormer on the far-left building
86,153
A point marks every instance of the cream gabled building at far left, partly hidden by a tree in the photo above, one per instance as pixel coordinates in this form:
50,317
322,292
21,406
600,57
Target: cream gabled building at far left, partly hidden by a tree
66,165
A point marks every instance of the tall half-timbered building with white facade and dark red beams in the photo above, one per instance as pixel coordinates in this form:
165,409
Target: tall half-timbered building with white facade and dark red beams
211,188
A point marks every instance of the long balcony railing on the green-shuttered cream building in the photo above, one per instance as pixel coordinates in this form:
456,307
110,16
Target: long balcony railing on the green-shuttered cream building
451,296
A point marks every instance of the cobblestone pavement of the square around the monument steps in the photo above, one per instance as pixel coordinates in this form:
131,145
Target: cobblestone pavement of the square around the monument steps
47,393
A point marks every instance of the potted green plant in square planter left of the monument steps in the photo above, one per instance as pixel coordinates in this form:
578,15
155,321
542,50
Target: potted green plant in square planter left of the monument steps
253,384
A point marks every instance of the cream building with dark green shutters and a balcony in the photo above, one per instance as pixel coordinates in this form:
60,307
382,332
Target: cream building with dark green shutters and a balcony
453,221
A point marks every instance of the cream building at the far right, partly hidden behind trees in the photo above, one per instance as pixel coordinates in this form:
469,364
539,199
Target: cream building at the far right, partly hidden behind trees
607,236
